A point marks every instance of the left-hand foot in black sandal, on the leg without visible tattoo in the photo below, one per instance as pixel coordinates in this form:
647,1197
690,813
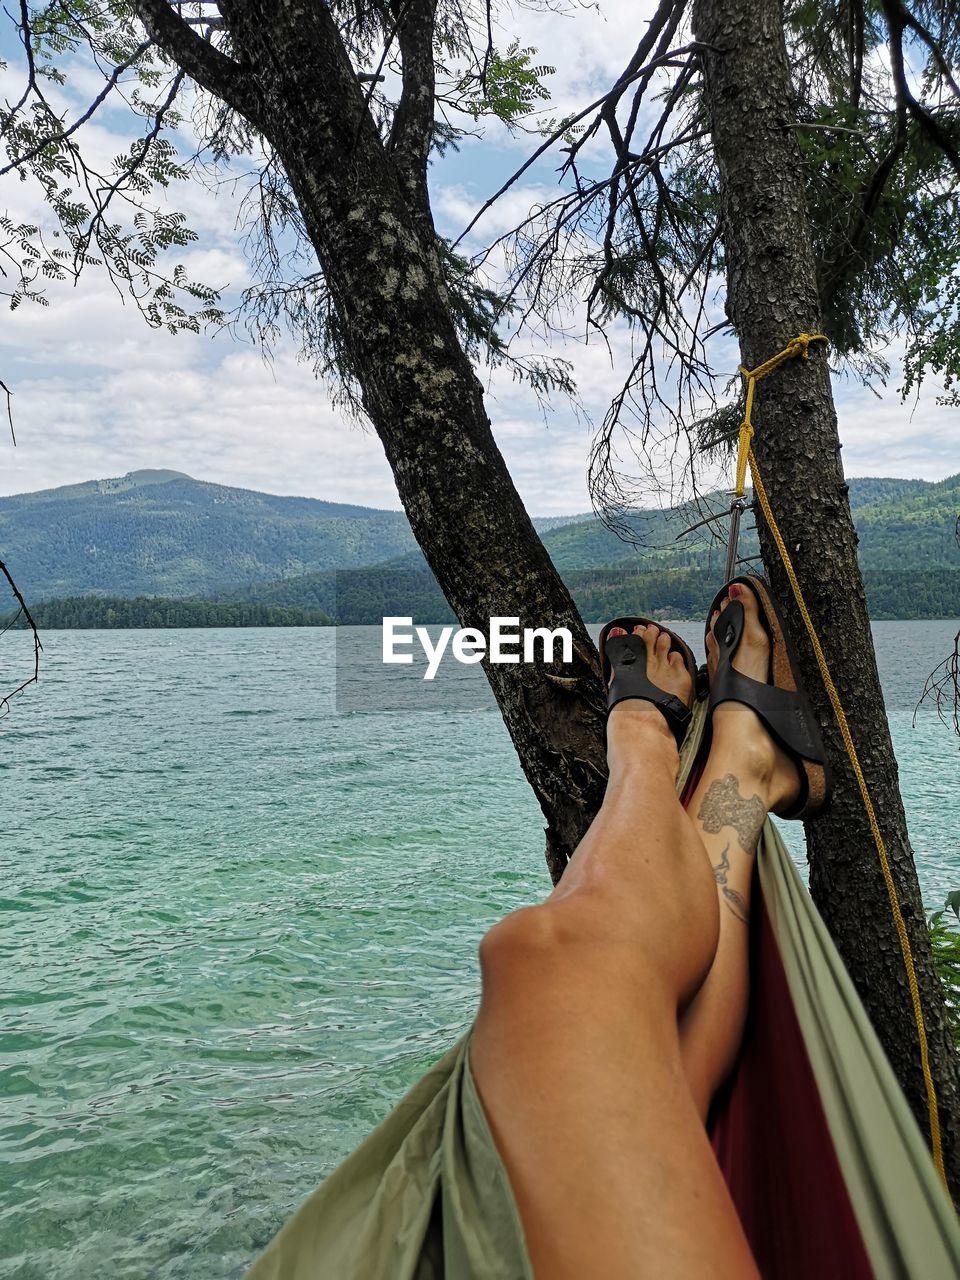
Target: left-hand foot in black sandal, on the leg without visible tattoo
634,723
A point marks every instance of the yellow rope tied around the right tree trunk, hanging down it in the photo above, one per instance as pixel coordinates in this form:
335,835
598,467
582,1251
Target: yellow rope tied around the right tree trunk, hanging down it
799,348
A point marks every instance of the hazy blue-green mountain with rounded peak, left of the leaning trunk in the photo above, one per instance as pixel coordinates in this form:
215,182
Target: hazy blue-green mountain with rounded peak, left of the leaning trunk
161,533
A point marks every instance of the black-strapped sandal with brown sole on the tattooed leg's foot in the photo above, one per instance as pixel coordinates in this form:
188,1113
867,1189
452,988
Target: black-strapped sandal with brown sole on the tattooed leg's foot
780,703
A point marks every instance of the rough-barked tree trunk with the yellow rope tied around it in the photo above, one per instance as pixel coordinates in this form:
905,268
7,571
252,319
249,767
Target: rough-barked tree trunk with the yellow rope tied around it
772,296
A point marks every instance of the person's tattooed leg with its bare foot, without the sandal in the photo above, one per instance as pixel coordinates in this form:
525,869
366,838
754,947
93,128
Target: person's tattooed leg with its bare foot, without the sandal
744,778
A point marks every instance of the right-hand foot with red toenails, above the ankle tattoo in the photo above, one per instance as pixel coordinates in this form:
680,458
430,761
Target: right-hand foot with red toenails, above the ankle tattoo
739,734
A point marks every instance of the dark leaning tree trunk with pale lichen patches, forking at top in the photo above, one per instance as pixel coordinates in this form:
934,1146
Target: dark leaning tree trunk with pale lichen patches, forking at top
367,212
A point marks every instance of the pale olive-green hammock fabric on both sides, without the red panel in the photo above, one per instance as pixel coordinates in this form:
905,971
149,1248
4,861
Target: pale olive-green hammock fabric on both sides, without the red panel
427,1196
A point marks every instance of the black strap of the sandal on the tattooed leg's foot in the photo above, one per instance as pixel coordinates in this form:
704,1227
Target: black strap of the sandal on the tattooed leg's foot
785,712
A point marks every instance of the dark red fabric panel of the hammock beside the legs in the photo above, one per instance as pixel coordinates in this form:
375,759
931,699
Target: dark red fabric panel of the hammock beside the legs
774,1145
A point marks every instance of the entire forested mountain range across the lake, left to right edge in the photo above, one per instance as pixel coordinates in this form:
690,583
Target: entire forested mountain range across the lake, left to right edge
164,534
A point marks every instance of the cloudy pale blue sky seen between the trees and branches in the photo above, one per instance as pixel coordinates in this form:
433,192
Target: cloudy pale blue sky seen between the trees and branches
98,394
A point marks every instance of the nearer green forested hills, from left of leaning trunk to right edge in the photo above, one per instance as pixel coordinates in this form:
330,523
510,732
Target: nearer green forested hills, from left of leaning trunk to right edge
908,550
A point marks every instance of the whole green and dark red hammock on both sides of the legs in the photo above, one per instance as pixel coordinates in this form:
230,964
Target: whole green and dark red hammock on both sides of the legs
825,1162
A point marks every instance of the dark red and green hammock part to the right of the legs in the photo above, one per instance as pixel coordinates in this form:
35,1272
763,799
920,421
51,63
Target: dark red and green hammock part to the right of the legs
826,1164
